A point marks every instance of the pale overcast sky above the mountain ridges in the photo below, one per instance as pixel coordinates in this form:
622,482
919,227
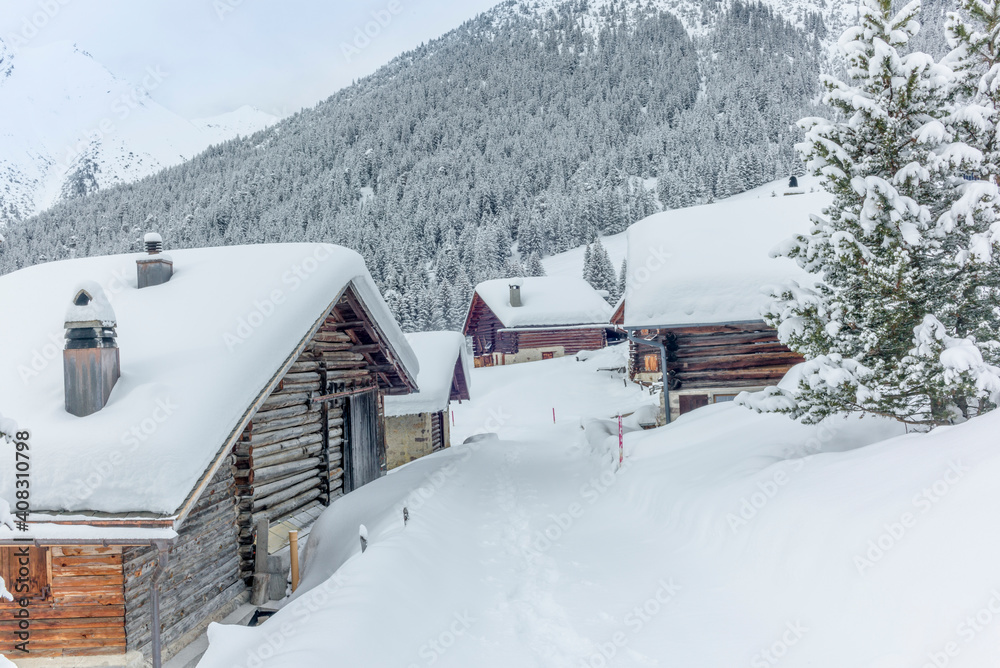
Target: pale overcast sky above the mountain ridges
277,55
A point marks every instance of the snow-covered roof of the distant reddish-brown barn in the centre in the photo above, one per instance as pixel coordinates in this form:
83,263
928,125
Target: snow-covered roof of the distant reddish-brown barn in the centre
545,300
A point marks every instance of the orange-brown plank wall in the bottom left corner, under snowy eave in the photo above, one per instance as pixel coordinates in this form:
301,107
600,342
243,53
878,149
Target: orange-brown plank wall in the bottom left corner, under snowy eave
83,615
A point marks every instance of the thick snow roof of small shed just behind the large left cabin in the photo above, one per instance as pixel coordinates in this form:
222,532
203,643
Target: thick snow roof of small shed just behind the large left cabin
438,353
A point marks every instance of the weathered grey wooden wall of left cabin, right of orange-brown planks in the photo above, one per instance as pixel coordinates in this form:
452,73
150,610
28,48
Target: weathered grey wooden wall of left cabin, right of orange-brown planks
202,577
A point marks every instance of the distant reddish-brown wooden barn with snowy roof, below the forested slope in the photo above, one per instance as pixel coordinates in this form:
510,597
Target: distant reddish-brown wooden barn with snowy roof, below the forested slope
516,320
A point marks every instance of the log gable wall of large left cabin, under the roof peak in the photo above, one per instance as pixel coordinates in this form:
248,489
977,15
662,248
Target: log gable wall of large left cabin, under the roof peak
291,457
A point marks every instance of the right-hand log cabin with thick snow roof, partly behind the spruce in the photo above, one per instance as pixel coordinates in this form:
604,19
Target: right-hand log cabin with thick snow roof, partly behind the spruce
699,280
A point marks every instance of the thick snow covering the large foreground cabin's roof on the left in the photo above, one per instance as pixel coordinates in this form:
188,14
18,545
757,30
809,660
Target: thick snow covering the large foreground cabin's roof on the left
196,353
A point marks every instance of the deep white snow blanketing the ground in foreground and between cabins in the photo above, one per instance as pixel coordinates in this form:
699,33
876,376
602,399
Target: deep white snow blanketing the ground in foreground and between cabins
728,539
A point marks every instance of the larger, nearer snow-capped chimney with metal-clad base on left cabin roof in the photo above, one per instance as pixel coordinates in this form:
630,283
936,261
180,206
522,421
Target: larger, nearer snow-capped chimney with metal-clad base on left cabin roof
91,364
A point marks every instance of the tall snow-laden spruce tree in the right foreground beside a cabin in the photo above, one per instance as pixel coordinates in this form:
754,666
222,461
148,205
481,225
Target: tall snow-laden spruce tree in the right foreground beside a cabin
895,323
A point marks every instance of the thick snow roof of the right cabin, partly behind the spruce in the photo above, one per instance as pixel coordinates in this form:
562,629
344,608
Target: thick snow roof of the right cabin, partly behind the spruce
712,264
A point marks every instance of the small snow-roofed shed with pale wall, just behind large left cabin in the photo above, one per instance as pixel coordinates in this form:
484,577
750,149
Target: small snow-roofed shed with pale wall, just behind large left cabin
418,424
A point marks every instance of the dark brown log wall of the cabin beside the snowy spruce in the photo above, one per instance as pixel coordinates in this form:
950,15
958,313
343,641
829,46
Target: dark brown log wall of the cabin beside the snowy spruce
743,355
